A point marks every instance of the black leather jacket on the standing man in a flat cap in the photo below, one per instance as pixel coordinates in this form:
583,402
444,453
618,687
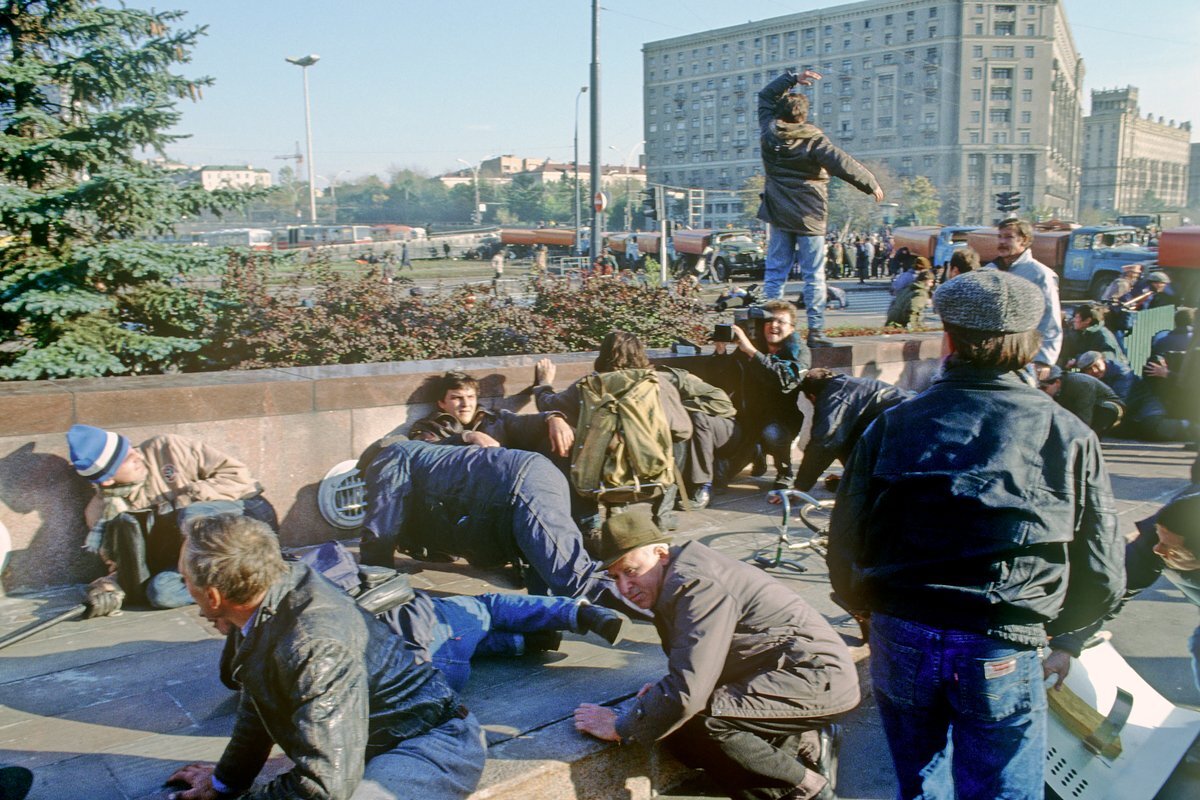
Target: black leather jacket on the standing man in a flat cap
979,506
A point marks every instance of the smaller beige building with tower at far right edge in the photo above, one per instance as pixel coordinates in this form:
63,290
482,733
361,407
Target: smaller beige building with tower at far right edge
1130,160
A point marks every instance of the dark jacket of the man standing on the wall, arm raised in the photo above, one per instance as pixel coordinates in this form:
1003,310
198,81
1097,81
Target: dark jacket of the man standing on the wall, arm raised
799,161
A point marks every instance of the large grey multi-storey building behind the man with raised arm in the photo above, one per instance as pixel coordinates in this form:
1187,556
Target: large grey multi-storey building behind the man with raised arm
980,98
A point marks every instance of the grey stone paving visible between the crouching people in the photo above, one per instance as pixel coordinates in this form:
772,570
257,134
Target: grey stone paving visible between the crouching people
117,705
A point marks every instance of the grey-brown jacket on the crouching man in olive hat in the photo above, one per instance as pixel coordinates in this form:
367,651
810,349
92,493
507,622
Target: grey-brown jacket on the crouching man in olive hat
739,645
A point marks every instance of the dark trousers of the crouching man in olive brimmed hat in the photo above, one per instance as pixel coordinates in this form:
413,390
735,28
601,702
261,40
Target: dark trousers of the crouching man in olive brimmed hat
754,760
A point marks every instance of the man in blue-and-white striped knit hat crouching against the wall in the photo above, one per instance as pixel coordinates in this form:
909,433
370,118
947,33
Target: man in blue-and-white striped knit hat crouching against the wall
146,497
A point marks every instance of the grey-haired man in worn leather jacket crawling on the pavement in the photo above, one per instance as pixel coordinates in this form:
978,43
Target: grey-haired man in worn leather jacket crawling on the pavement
321,678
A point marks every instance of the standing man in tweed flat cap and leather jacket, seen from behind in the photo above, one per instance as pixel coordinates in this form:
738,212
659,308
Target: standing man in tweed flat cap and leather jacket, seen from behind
973,521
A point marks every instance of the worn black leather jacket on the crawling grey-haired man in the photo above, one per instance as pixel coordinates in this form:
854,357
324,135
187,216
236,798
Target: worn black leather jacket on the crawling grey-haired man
331,685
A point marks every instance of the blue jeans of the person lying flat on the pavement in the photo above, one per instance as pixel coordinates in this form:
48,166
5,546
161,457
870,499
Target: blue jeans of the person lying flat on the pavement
491,625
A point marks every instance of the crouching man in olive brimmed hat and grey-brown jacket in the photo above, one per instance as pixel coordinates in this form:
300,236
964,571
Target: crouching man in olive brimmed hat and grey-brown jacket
755,676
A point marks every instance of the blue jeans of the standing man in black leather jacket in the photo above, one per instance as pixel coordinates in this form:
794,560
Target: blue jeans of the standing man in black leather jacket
965,714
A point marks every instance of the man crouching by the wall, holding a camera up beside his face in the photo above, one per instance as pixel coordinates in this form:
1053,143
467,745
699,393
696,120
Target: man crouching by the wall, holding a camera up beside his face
764,380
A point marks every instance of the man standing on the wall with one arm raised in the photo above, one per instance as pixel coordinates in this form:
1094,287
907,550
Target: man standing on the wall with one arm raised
799,161
